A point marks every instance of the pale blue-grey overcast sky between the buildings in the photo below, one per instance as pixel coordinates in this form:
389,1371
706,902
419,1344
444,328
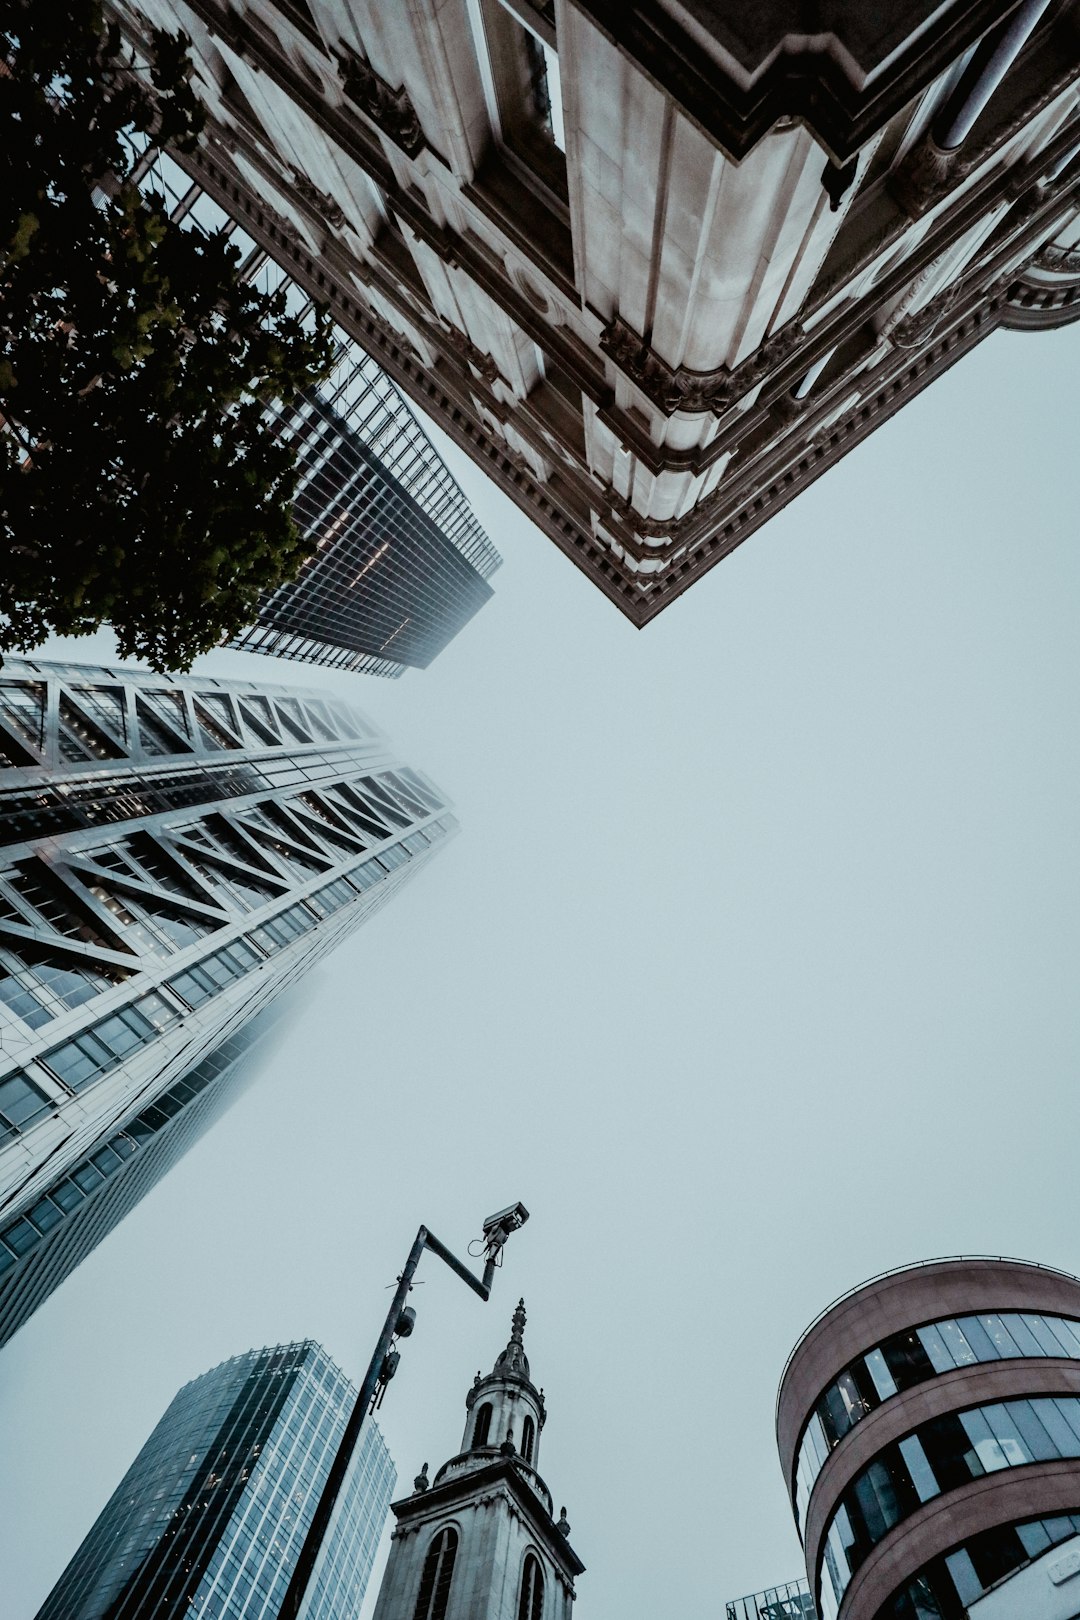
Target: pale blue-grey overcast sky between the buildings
752,973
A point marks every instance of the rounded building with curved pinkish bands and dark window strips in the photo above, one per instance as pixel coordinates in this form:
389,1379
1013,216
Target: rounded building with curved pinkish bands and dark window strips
930,1436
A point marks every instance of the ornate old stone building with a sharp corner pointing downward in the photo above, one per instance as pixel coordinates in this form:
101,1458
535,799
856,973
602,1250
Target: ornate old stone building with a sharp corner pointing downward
655,265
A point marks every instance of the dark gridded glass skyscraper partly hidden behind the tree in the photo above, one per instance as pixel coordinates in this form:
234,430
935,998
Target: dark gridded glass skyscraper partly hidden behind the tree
401,563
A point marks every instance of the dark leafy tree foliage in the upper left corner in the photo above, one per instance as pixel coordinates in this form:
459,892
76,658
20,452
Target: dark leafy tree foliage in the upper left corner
142,484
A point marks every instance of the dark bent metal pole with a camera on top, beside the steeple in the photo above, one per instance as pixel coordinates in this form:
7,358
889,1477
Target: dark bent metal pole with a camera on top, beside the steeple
380,1373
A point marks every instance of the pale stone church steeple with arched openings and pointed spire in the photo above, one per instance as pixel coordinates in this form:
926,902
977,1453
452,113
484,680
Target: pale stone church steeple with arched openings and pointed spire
482,1541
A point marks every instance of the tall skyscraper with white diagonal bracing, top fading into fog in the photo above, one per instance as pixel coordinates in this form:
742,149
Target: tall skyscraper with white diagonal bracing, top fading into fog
177,853
